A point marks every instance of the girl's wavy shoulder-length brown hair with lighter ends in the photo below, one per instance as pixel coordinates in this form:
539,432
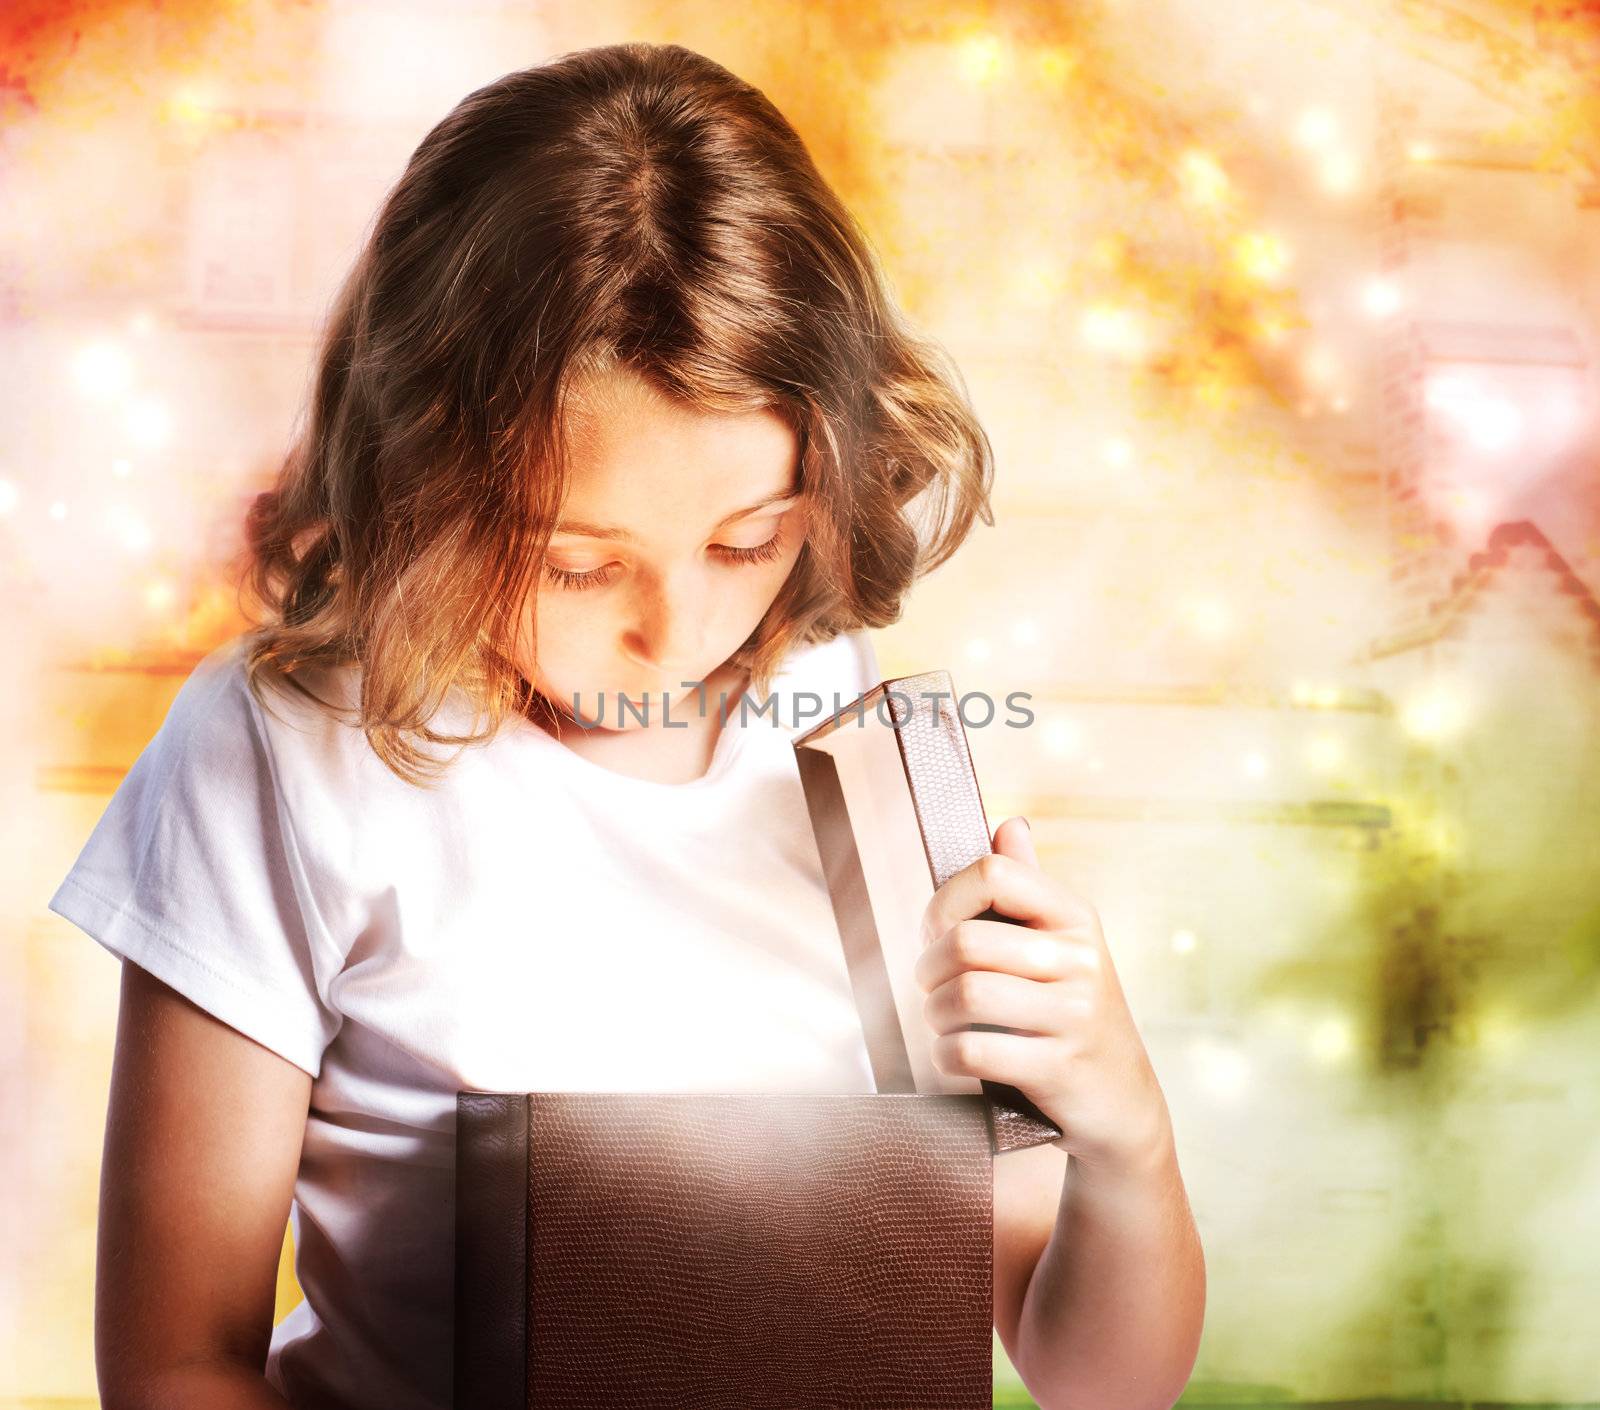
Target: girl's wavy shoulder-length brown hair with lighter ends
628,206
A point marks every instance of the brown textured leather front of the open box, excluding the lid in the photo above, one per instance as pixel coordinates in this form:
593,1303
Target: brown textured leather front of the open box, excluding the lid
726,1251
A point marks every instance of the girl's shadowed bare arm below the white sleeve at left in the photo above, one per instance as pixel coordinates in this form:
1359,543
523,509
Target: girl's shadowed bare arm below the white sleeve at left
202,1144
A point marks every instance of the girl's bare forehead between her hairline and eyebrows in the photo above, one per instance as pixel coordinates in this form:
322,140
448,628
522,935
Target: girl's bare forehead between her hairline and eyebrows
636,454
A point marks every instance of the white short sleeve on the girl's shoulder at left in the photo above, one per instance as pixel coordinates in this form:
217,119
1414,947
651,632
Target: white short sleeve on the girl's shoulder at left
196,876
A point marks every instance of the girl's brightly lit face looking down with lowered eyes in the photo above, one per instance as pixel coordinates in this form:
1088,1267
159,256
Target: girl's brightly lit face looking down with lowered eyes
678,534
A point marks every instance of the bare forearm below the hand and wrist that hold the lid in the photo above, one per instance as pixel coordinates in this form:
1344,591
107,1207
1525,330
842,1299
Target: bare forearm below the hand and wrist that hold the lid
1116,1304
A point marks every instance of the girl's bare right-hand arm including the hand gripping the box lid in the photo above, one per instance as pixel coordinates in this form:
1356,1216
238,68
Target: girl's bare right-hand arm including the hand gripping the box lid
1110,1316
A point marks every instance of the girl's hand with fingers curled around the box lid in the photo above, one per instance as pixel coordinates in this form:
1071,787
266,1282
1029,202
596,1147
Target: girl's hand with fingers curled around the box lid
1076,1052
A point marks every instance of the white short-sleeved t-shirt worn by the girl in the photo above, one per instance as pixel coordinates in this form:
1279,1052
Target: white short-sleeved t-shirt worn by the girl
534,923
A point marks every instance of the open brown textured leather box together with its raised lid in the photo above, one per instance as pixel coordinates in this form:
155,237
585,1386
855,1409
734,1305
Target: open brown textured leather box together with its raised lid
761,1251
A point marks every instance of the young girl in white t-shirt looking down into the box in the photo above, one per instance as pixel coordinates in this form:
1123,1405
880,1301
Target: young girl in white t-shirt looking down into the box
615,431
